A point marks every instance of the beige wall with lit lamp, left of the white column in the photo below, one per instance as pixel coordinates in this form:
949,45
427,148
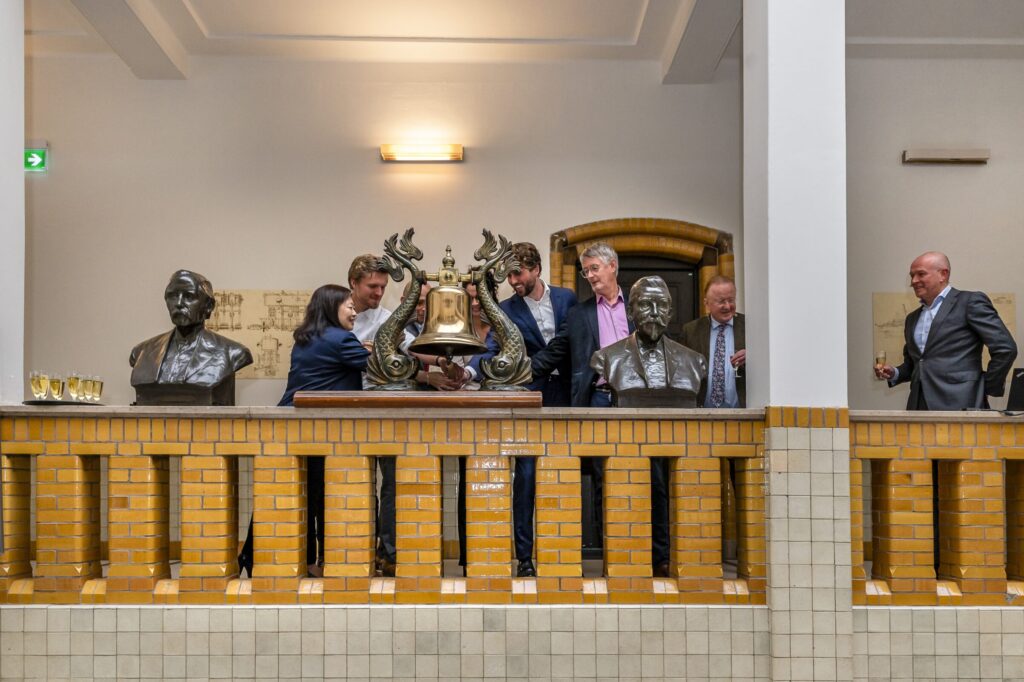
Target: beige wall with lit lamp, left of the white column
266,175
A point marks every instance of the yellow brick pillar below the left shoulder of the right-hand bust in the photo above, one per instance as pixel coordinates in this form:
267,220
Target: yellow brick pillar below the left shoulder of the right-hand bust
627,529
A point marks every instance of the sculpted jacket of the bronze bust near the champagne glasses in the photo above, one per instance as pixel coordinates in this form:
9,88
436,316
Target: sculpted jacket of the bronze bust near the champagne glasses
216,360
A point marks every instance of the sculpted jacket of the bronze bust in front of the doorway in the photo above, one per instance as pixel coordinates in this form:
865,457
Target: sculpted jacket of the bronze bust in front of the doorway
622,367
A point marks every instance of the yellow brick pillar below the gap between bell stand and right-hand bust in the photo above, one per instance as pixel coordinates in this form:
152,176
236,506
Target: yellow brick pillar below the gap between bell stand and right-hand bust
560,529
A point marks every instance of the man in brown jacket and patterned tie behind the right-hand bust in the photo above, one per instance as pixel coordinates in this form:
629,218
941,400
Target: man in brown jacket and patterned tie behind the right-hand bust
726,386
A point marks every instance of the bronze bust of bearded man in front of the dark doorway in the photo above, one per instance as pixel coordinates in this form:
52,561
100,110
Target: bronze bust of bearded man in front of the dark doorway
648,369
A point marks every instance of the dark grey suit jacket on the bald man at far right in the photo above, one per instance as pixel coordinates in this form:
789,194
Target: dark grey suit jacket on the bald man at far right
949,374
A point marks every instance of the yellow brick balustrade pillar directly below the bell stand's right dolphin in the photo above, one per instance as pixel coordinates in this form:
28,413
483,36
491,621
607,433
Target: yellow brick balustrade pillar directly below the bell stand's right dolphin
489,529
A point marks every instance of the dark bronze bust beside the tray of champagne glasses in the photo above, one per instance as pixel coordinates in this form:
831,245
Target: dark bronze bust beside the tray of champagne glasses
190,365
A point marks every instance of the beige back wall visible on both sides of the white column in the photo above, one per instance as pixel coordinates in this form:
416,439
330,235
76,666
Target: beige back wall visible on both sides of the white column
275,164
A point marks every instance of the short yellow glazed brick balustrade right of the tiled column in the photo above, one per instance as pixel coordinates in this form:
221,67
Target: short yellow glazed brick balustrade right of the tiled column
970,465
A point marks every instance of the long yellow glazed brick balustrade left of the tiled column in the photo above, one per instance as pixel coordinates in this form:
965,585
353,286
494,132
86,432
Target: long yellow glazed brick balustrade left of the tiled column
67,445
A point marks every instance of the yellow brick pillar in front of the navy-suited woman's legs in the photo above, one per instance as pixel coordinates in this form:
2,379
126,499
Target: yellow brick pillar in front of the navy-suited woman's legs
280,544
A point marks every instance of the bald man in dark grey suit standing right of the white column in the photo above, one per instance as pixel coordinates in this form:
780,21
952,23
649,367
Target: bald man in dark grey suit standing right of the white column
944,343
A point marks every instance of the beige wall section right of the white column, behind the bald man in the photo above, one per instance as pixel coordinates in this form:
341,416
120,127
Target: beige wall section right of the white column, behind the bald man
973,214
